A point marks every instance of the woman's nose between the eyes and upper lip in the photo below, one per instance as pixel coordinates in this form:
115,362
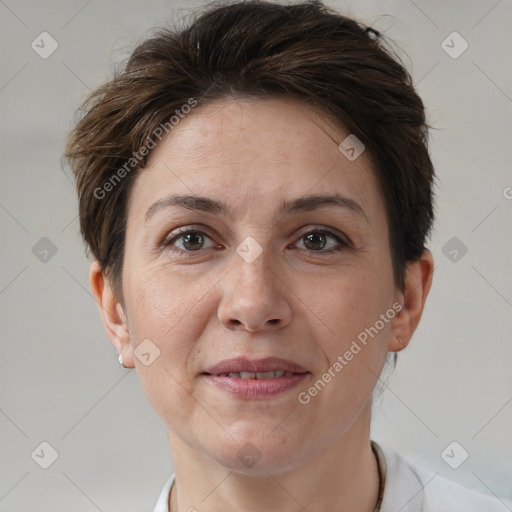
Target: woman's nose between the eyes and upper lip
254,296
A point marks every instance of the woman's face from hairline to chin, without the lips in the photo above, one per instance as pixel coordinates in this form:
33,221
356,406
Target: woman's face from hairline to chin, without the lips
256,282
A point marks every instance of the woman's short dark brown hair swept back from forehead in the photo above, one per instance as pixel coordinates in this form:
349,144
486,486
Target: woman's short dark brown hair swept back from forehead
256,48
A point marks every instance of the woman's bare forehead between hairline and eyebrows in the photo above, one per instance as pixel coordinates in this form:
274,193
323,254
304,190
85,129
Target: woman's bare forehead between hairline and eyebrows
248,151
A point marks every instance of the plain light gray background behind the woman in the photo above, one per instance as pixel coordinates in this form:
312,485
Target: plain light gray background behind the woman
60,381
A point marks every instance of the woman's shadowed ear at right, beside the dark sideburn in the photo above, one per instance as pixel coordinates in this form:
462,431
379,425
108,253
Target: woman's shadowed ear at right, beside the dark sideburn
417,285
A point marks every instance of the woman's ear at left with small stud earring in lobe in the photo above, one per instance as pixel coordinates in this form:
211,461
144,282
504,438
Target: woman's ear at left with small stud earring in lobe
111,311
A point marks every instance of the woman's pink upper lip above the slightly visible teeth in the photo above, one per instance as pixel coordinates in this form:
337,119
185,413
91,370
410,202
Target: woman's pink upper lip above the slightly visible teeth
242,364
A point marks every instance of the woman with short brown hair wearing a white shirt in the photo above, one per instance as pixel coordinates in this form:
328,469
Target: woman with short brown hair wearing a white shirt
256,190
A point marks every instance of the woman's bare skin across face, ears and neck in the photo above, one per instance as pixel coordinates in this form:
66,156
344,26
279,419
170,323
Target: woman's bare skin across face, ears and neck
294,301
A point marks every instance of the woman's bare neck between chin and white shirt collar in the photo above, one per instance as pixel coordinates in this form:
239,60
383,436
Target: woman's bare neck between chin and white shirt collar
342,477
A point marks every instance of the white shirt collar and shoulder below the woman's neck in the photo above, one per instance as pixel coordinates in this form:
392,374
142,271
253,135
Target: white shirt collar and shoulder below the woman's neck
410,488
